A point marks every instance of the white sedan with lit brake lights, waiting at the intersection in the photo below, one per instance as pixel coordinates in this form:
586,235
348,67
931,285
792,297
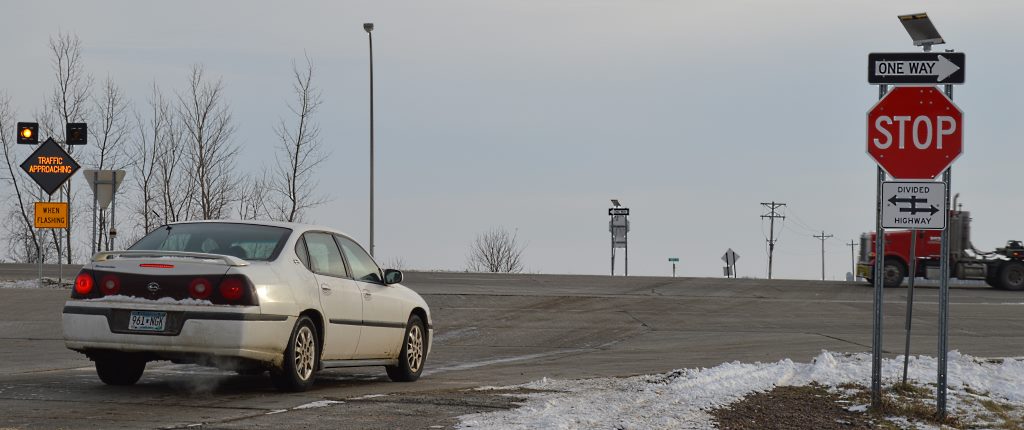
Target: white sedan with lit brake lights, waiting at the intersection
282,297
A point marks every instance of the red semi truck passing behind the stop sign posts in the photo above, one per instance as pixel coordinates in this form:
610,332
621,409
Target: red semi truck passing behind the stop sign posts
1003,269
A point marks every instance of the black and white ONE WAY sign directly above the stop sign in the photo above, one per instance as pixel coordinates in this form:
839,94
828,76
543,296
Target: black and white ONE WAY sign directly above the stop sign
916,68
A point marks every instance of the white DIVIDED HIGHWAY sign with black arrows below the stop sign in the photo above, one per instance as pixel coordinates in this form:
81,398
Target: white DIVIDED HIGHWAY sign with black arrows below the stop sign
914,205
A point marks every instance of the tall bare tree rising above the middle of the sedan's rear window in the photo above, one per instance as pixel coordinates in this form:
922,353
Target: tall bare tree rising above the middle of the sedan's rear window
207,123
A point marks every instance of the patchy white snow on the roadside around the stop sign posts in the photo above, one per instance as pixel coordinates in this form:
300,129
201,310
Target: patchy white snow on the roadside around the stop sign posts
678,400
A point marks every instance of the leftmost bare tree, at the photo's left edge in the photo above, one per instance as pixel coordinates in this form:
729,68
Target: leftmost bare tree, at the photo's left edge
23,241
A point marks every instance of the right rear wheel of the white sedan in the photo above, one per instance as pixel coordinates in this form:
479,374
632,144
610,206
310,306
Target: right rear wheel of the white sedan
302,359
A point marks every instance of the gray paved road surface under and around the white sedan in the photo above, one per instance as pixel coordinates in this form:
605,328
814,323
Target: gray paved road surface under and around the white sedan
494,330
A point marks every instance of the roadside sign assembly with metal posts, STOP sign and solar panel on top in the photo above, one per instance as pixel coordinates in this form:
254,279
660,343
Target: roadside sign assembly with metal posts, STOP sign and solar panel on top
914,133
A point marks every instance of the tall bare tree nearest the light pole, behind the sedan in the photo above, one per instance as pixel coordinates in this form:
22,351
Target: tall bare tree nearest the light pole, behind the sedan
302,152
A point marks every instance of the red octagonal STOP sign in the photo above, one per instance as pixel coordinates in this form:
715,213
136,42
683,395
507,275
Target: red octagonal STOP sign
915,133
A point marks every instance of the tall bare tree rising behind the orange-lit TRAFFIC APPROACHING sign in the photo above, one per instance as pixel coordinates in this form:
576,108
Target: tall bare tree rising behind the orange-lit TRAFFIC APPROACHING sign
66,105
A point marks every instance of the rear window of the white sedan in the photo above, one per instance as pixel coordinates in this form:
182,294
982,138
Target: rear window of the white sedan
249,242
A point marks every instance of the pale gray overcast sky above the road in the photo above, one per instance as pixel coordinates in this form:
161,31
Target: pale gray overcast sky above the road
532,115
